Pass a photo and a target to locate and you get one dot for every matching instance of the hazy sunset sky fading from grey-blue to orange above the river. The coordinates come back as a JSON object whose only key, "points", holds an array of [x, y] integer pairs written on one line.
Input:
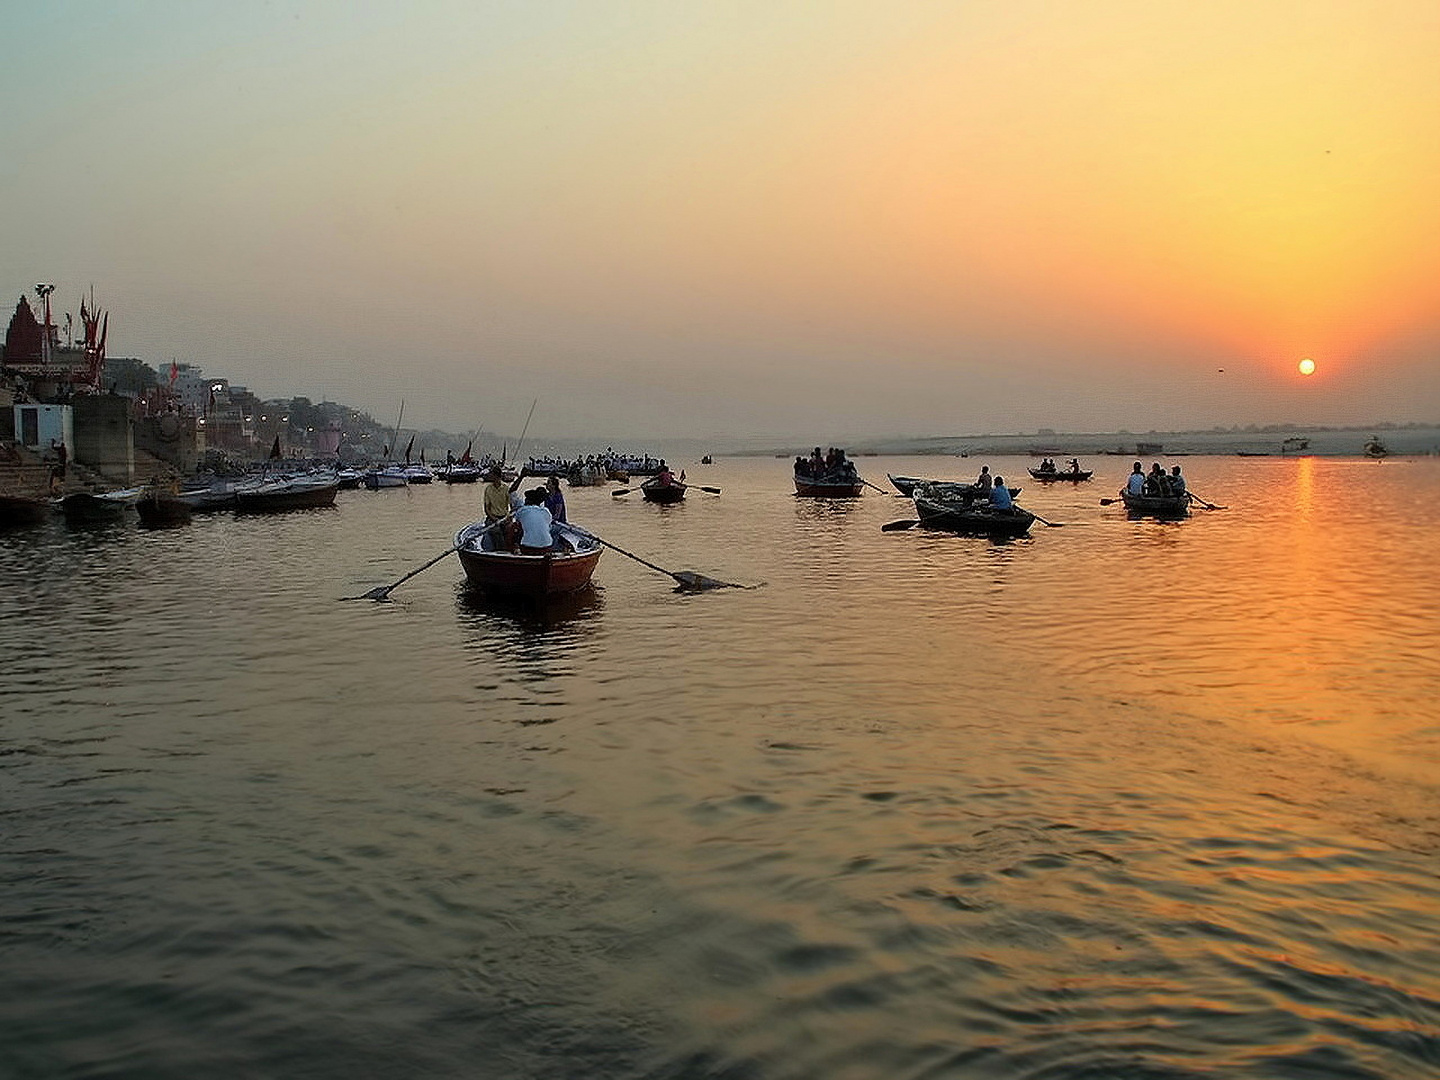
{"points": [[770, 220]]}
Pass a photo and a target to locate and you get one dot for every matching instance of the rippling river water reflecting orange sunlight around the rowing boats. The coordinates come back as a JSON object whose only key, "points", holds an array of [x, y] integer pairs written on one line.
{"points": [[1121, 800]]}
